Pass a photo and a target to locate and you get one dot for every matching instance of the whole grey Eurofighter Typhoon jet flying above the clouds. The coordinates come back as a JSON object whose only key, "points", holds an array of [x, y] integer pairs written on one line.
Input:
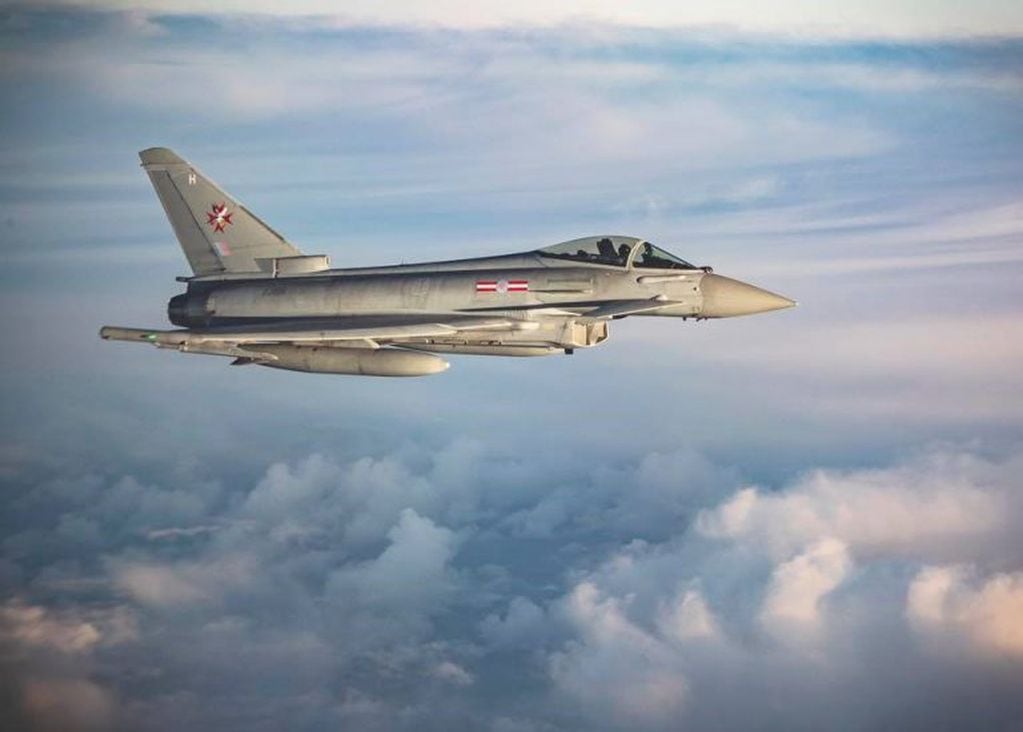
{"points": [[257, 299]]}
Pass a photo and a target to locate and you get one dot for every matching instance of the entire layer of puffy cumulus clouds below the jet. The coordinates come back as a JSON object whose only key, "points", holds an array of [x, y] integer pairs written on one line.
{"points": [[405, 592]]}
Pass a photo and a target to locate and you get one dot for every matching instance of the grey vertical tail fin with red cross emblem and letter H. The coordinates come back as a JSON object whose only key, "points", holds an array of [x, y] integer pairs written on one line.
{"points": [[217, 234]]}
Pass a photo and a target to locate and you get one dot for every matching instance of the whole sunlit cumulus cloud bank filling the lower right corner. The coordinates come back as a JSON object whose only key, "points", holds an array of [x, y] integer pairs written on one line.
{"points": [[811, 597]]}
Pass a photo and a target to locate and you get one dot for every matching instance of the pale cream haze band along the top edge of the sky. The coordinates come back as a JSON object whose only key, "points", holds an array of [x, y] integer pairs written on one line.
{"points": [[926, 19]]}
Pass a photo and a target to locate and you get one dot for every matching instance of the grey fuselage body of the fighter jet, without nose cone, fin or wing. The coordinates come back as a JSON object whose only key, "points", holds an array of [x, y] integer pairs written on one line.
{"points": [[558, 293]]}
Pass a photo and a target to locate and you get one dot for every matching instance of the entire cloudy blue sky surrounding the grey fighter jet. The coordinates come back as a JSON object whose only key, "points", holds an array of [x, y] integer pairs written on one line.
{"points": [[803, 520]]}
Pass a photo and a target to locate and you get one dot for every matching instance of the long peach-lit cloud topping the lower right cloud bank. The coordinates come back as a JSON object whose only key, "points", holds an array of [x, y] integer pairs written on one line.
{"points": [[931, 507]]}
